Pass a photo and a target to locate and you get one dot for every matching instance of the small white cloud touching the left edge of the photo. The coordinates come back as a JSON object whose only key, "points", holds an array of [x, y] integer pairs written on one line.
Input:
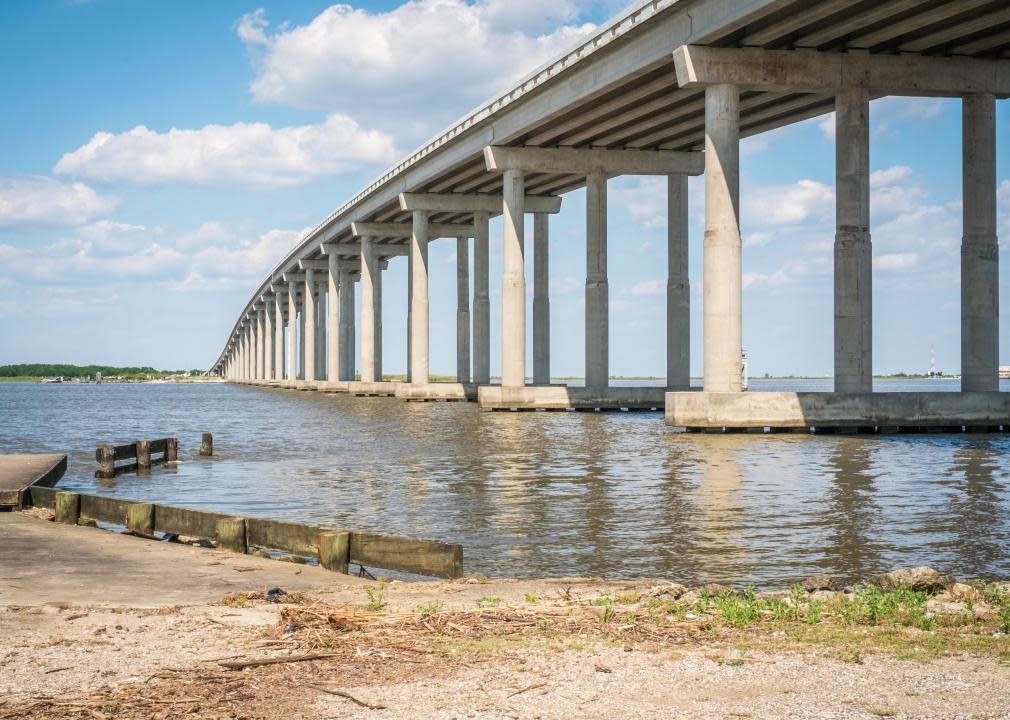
{"points": [[44, 201]]}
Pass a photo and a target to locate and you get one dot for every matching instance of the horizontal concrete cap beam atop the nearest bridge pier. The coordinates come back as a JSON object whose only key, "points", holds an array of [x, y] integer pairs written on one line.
{"points": [[814, 72]]}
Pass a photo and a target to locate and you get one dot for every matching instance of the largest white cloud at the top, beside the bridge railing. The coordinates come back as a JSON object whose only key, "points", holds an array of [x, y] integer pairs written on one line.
{"points": [[434, 57]]}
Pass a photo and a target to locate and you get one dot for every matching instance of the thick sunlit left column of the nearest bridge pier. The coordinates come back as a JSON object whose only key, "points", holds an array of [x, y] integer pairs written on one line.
{"points": [[723, 260]]}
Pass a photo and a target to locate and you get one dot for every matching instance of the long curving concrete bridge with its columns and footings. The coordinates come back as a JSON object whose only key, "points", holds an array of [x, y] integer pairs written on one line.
{"points": [[668, 88]]}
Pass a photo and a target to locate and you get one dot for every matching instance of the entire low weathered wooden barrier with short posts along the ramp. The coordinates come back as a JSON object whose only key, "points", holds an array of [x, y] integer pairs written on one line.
{"points": [[334, 549]]}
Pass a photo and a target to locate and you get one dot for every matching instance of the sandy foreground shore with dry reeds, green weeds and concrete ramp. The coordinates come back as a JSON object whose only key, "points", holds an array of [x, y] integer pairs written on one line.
{"points": [[344, 648]]}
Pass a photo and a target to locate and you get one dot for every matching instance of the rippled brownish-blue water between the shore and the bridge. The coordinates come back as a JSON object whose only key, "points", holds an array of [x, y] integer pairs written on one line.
{"points": [[617, 495]]}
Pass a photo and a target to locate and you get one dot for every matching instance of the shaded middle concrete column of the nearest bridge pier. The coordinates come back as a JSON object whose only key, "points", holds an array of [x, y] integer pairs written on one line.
{"points": [[854, 371]]}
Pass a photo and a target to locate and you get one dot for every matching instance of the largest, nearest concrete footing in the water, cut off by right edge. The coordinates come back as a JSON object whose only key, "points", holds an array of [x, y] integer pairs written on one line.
{"points": [[855, 413]]}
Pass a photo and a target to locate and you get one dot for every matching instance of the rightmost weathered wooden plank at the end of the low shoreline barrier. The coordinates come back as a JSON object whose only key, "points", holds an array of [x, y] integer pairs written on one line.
{"points": [[407, 555]]}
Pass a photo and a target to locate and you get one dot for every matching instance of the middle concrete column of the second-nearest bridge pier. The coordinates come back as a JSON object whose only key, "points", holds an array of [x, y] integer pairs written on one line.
{"points": [[597, 287]]}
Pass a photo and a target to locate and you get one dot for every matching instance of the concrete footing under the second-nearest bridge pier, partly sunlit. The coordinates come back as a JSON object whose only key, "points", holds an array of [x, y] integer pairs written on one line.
{"points": [[560, 397]]}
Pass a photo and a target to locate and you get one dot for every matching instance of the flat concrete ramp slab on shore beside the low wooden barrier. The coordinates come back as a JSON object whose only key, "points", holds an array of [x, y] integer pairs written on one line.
{"points": [[48, 564]]}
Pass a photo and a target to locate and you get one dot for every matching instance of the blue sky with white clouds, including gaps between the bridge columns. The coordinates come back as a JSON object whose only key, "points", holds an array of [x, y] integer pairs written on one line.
{"points": [[159, 159]]}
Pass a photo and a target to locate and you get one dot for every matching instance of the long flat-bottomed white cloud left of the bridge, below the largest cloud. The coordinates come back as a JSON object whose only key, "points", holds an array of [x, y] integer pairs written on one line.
{"points": [[247, 154]]}
